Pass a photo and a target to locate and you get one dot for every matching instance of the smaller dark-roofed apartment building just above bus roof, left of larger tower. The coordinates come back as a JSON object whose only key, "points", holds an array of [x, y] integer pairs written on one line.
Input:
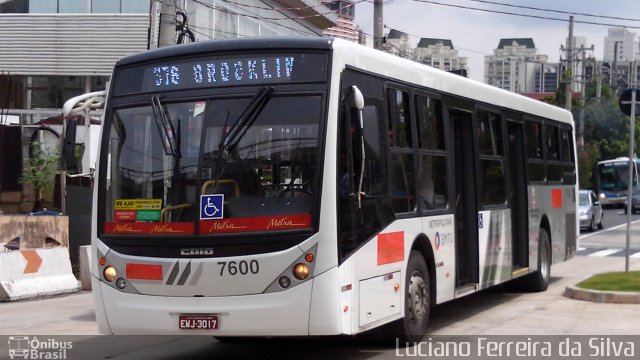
{"points": [[440, 54]]}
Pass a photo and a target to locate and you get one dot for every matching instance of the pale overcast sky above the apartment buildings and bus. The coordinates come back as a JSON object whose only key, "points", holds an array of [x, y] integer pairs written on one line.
{"points": [[476, 33]]}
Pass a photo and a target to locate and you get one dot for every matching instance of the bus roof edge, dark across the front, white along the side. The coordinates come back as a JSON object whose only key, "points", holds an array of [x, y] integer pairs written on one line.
{"points": [[347, 53]]}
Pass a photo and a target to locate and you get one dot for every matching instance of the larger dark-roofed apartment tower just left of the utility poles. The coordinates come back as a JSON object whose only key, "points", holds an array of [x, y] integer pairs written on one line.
{"points": [[516, 66]]}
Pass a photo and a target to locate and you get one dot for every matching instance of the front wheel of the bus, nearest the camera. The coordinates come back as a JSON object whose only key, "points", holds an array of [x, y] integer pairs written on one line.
{"points": [[417, 297]]}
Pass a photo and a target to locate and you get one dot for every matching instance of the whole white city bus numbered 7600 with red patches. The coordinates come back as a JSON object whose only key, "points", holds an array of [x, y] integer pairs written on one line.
{"points": [[265, 187]]}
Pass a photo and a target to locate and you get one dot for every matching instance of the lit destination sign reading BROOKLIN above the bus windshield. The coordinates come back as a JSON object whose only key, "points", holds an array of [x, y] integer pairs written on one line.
{"points": [[218, 71]]}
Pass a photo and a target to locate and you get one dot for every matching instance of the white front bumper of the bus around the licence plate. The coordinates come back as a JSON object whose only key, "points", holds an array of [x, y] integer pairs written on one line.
{"points": [[276, 314]]}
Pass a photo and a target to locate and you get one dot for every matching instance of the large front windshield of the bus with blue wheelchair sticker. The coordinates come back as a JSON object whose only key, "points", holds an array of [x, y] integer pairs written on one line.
{"points": [[216, 165]]}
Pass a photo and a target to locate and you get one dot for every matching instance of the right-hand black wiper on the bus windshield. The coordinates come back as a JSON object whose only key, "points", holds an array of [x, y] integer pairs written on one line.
{"points": [[245, 120]]}
